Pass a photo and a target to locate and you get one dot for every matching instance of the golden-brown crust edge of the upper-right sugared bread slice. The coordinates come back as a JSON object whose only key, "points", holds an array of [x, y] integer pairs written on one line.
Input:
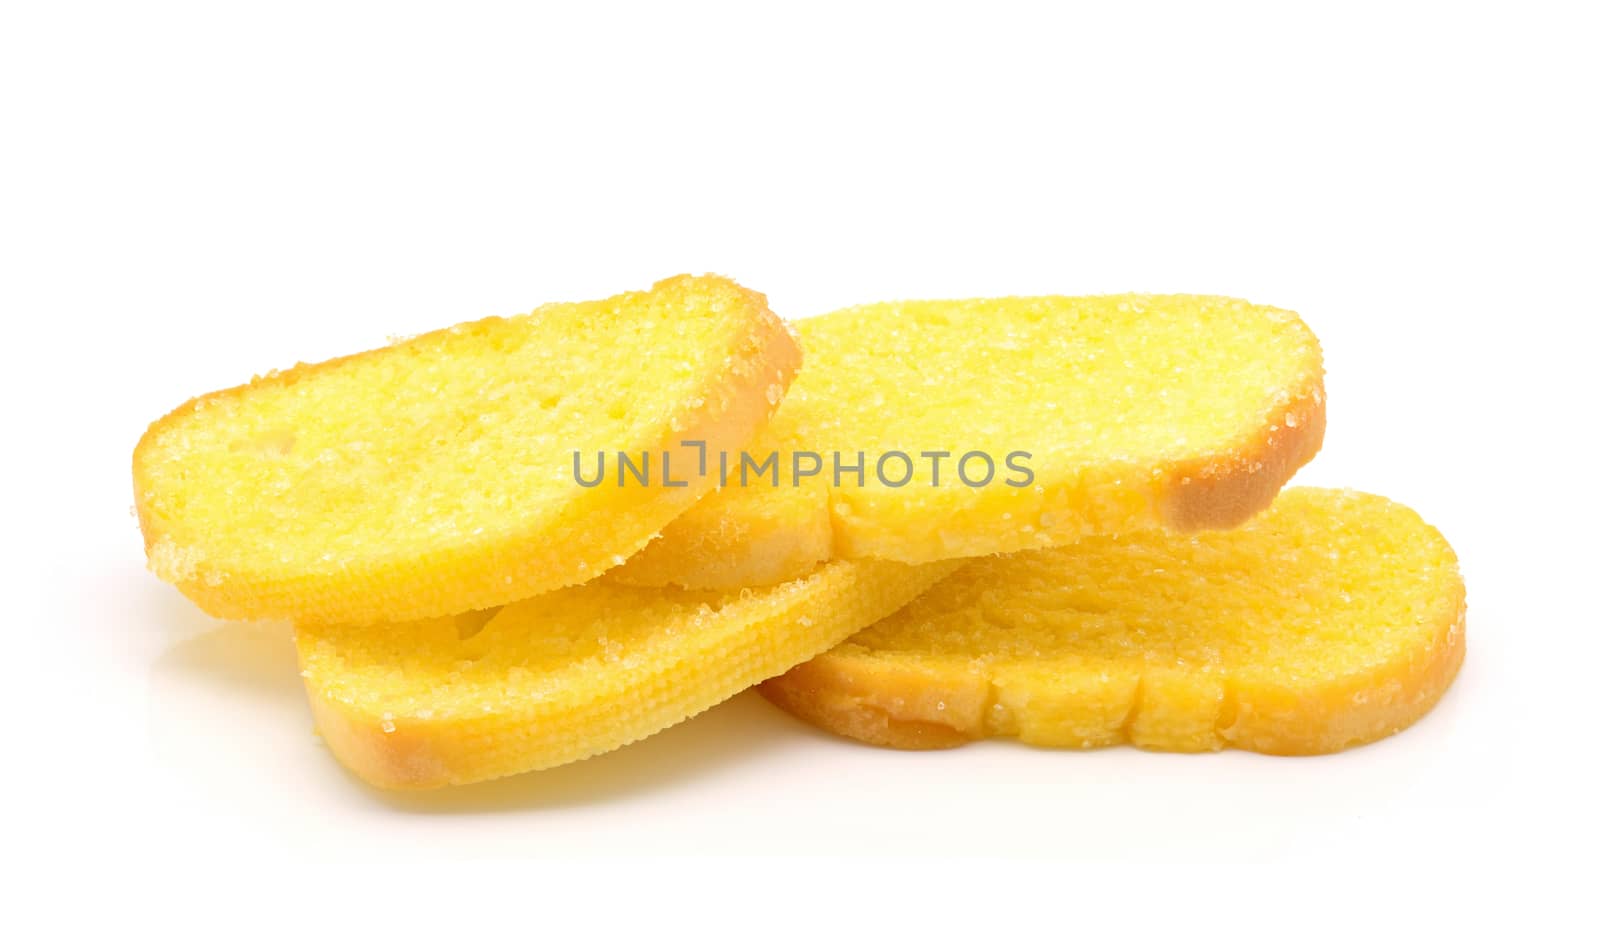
{"points": [[761, 535]]}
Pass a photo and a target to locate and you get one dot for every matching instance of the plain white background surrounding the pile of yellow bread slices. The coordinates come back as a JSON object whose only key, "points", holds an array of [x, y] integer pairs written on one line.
{"points": [[198, 193]]}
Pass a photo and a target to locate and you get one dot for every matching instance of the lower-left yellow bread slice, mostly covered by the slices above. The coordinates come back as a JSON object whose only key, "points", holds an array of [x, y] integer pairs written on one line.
{"points": [[570, 674]]}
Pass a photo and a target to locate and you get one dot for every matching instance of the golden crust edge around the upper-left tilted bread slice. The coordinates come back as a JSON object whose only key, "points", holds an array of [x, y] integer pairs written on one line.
{"points": [[594, 530]]}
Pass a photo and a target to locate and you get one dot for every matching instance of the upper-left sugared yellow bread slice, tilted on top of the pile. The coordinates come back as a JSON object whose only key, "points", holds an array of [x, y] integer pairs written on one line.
{"points": [[438, 476]]}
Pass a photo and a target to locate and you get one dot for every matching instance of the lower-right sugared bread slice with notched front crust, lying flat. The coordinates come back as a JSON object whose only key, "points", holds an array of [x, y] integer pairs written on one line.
{"points": [[1334, 620]]}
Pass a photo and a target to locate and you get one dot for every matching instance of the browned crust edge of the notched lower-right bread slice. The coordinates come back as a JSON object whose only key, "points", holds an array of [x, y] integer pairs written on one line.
{"points": [[911, 700]]}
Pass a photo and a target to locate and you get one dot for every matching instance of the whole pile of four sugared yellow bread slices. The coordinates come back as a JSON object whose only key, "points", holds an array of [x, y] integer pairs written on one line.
{"points": [[519, 543]]}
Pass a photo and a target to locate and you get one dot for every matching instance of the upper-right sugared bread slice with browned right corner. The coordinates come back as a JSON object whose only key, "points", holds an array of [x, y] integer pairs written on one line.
{"points": [[1138, 412]]}
